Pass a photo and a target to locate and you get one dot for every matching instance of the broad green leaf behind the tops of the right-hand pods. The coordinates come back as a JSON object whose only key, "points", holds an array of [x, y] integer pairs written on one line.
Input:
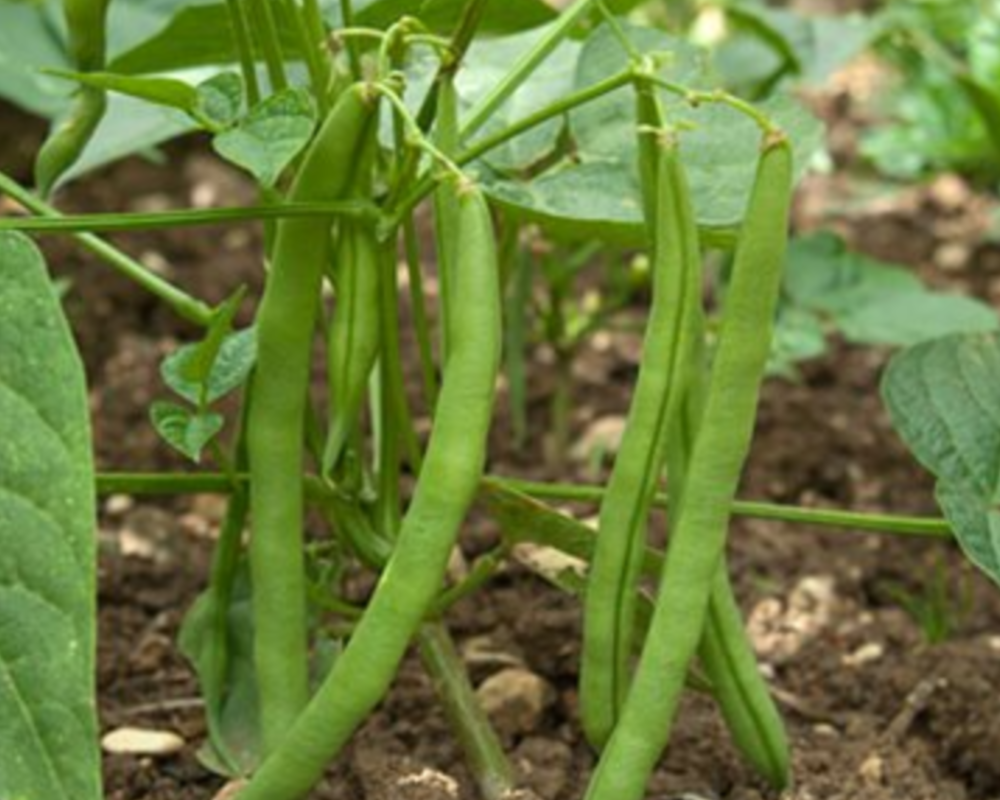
{"points": [[595, 191]]}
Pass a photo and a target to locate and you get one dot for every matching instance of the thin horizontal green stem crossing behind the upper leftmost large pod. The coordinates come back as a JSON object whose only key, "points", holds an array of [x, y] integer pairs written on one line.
{"points": [[159, 220]]}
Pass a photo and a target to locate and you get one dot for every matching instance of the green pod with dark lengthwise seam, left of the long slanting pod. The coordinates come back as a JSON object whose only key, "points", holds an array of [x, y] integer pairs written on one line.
{"points": [[609, 618]]}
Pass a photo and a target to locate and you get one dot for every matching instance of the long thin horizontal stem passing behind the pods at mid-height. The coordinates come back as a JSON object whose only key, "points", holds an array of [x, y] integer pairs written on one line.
{"points": [[167, 484]]}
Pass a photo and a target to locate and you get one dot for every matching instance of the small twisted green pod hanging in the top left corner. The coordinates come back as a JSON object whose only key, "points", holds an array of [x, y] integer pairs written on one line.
{"points": [[86, 23]]}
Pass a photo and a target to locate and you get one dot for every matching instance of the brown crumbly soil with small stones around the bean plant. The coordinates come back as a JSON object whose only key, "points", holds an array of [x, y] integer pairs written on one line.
{"points": [[875, 710]]}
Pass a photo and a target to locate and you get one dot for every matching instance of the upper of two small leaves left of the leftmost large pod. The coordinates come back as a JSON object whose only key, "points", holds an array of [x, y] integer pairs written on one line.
{"points": [[228, 365]]}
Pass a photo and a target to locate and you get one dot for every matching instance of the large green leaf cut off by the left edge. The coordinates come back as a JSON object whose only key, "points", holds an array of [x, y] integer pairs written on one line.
{"points": [[48, 726]]}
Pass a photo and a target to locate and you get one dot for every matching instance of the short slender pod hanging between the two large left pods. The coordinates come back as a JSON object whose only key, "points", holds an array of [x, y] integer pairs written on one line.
{"points": [[353, 343]]}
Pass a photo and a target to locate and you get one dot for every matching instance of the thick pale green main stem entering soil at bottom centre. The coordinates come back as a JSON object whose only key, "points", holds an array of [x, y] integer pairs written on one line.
{"points": [[483, 753]]}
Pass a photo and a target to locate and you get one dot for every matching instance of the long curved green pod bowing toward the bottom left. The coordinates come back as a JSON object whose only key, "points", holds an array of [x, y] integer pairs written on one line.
{"points": [[448, 483]]}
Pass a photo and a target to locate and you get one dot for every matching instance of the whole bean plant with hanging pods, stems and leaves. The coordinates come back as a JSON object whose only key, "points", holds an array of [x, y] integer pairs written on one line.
{"points": [[355, 123]]}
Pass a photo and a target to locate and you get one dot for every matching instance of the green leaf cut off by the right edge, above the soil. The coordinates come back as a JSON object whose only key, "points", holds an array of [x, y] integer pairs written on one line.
{"points": [[944, 400]]}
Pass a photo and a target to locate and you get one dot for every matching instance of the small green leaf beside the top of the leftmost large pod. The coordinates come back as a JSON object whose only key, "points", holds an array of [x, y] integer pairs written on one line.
{"points": [[270, 136]]}
